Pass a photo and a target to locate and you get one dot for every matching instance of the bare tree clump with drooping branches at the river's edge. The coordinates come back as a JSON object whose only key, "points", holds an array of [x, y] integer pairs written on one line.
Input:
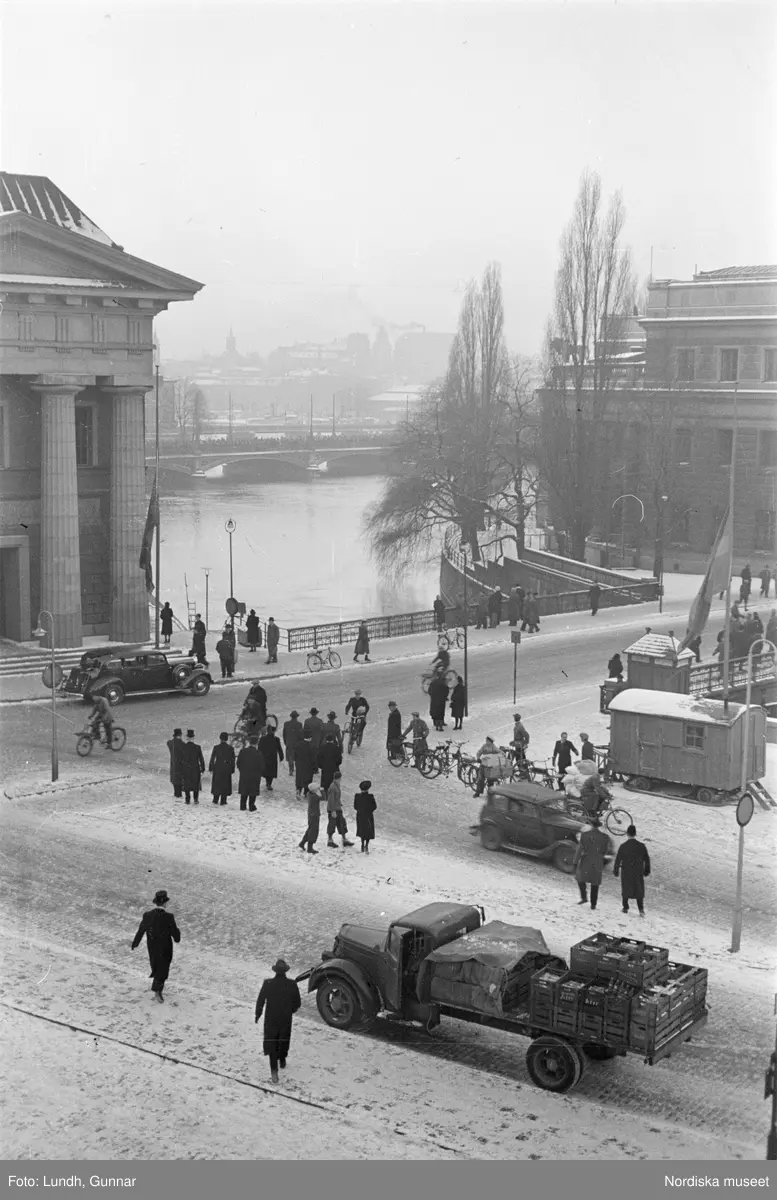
{"points": [[466, 464]]}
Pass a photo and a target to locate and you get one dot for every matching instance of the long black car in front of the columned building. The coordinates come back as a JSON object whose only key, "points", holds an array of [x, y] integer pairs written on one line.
{"points": [[135, 671]]}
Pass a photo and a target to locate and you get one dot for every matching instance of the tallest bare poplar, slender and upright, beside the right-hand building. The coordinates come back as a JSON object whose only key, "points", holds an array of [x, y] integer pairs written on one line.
{"points": [[595, 291]]}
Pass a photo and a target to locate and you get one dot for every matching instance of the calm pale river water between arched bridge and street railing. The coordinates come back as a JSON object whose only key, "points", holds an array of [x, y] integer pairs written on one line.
{"points": [[298, 553]]}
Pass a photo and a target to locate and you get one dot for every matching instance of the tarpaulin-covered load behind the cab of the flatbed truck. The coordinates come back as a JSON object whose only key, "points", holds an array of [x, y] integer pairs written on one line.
{"points": [[486, 971]]}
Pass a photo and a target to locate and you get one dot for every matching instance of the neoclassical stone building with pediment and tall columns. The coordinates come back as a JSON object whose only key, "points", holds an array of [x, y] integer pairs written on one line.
{"points": [[76, 363]]}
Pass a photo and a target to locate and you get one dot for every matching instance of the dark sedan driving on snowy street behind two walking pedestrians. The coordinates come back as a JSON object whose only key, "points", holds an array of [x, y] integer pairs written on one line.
{"points": [[531, 820]]}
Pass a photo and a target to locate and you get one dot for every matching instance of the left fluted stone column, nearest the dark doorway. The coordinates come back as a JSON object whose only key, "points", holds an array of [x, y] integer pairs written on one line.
{"points": [[61, 551]]}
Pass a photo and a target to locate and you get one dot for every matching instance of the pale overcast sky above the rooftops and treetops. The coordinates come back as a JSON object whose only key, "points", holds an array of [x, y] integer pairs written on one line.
{"points": [[332, 167]]}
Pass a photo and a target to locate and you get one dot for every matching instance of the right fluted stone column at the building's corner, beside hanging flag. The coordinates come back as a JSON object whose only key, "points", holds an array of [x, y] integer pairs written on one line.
{"points": [[129, 508]]}
